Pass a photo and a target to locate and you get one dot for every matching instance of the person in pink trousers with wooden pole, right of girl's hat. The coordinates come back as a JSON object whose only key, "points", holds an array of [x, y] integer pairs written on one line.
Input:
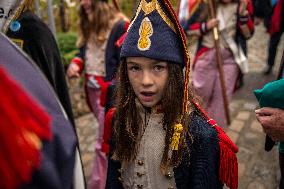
{"points": [[234, 20]]}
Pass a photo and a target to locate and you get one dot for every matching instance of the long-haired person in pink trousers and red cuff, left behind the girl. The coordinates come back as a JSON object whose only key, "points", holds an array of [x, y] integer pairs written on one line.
{"points": [[100, 27]]}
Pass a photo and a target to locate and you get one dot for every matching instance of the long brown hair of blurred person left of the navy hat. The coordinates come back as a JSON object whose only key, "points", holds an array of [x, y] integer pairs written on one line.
{"points": [[97, 26]]}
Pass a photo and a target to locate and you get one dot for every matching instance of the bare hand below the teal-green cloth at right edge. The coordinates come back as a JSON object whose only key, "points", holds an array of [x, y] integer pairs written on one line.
{"points": [[272, 121]]}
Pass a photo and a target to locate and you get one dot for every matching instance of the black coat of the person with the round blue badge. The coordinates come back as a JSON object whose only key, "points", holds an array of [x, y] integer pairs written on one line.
{"points": [[39, 43]]}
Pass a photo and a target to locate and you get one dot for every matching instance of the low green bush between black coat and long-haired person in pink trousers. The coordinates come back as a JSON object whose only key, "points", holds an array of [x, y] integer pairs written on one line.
{"points": [[67, 47]]}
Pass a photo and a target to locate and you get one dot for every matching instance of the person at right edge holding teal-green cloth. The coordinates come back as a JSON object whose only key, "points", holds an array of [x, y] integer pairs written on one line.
{"points": [[271, 116]]}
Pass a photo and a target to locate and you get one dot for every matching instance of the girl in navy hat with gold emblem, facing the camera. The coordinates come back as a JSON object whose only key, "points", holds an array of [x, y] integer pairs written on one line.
{"points": [[161, 138]]}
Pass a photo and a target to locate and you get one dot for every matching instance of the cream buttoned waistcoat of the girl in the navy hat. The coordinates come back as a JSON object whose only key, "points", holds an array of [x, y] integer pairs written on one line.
{"points": [[145, 171]]}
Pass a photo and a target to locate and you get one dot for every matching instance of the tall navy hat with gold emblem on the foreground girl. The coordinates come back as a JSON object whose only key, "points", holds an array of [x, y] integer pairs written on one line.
{"points": [[155, 33]]}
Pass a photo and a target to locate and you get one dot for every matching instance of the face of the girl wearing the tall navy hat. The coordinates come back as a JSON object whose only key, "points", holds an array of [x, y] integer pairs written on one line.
{"points": [[148, 79]]}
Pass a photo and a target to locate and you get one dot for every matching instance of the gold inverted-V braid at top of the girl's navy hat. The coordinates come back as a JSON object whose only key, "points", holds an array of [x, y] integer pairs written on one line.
{"points": [[149, 8]]}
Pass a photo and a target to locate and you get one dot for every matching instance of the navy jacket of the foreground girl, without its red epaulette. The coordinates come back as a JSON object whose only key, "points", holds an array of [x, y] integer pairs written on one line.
{"points": [[201, 172]]}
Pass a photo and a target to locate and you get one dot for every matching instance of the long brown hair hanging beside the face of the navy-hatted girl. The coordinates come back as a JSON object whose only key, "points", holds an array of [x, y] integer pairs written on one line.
{"points": [[127, 127]]}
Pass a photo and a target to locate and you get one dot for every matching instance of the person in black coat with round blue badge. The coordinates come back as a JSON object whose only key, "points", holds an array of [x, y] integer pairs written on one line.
{"points": [[32, 35]]}
